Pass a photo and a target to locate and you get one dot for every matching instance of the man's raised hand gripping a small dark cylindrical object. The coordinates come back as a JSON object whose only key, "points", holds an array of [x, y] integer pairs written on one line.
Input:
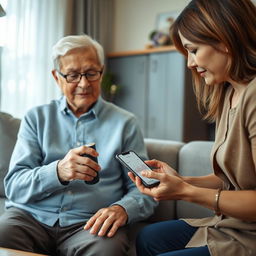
{"points": [[74, 166]]}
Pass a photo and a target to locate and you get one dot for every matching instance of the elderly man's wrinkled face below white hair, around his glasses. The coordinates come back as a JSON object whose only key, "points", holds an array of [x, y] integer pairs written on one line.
{"points": [[80, 95]]}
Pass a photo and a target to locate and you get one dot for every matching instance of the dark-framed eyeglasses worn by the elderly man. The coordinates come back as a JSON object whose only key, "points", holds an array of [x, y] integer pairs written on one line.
{"points": [[91, 76]]}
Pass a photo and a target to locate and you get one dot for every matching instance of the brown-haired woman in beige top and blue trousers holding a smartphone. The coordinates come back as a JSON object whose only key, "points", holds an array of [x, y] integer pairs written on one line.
{"points": [[218, 37]]}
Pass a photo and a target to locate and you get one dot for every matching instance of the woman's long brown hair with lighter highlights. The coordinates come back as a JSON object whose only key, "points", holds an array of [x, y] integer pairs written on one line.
{"points": [[231, 22]]}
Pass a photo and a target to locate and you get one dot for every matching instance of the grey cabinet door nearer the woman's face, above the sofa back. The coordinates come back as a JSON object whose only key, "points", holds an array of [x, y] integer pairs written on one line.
{"points": [[166, 96]]}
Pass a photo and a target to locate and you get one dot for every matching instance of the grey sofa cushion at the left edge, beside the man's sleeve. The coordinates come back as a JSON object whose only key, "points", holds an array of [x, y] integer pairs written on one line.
{"points": [[8, 129]]}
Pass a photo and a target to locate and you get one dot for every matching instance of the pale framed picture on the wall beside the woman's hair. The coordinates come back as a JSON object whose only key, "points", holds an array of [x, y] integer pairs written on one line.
{"points": [[164, 20]]}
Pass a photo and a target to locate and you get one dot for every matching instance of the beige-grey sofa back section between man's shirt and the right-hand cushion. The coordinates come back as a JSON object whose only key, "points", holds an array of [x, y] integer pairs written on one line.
{"points": [[166, 151]]}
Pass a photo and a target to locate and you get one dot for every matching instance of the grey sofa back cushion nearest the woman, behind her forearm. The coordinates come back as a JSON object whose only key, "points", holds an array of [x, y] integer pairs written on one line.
{"points": [[194, 160]]}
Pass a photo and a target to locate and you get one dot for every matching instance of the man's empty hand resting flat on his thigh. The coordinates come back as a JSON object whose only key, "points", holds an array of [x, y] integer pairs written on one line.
{"points": [[106, 221]]}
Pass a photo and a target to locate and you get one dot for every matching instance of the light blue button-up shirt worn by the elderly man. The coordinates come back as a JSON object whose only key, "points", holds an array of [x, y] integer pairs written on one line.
{"points": [[46, 134]]}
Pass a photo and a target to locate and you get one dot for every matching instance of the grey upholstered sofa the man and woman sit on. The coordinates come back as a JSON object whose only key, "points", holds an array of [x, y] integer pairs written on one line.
{"points": [[191, 159]]}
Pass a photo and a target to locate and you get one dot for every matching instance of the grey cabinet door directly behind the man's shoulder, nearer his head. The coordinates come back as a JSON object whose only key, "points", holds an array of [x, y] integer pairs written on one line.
{"points": [[130, 72]]}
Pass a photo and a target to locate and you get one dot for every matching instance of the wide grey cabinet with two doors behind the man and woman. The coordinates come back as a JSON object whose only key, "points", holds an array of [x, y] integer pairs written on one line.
{"points": [[157, 88]]}
